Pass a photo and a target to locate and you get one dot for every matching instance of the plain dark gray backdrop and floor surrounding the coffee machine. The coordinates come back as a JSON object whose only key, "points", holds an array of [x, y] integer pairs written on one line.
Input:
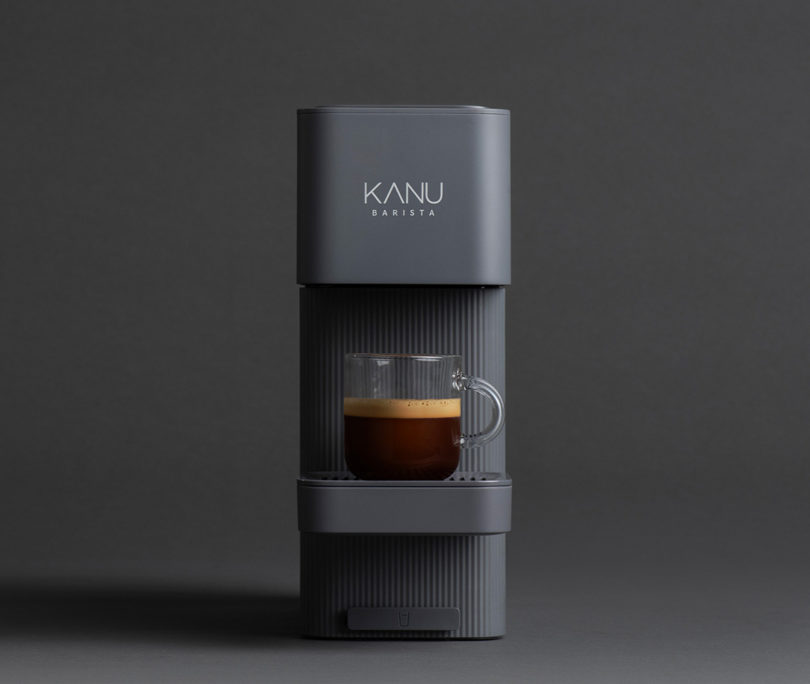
{"points": [[658, 333]]}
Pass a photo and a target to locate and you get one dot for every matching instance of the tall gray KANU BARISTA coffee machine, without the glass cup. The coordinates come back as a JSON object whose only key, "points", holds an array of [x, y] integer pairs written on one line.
{"points": [[403, 247]]}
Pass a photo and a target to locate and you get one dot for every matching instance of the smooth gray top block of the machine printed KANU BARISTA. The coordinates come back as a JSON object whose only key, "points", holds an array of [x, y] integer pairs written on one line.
{"points": [[354, 167]]}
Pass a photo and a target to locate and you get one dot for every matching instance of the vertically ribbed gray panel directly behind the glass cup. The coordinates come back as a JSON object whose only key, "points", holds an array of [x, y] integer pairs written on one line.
{"points": [[468, 321]]}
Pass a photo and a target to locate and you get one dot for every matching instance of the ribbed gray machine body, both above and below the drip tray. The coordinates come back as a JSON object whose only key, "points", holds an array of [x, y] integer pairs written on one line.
{"points": [[343, 571]]}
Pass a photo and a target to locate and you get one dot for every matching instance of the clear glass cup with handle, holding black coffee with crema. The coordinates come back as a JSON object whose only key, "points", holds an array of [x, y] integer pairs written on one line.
{"points": [[402, 415]]}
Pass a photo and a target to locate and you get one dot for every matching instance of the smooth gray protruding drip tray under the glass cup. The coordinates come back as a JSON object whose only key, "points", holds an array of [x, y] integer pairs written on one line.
{"points": [[465, 503]]}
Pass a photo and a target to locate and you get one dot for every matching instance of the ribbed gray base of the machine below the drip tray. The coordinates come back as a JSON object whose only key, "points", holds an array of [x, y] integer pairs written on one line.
{"points": [[339, 572]]}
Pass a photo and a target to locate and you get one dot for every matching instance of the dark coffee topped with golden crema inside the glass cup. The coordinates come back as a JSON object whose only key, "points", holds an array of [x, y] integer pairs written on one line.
{"points": [[402, 439]]}
